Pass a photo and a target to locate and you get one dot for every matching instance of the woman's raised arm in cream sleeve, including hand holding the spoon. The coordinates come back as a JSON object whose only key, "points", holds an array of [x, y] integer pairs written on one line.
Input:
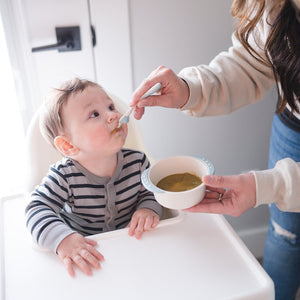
{"points": [[232, 80]]}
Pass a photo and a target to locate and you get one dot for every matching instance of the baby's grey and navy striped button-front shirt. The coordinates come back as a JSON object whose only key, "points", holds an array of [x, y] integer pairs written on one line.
{"points": [[70, 198]]}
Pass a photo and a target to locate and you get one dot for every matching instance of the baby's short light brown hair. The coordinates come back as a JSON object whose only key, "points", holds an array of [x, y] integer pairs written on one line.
{"points": [[51, 123]]}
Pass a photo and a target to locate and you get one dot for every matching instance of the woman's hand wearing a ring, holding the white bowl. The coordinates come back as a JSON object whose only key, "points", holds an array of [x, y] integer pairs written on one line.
{"points": [[229, 195]]}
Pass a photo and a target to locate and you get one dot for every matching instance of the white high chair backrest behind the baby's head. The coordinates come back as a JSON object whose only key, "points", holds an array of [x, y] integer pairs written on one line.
{"points": [[40, 154]]}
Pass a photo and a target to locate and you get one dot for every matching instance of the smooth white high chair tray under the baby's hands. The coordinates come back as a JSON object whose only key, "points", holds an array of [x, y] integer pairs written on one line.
{"points": [[189, 256]]}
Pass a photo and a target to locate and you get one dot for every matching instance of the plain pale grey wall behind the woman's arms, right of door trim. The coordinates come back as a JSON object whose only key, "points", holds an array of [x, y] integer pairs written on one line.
{"points": [[180, 33]]}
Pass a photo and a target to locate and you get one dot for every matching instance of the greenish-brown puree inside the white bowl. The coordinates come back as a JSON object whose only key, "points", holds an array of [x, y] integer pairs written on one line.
{"points": [[179, 182]]}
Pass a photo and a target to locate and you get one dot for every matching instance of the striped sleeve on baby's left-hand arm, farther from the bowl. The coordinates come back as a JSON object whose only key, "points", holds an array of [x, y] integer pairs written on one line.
{"points": [[42, 213]]}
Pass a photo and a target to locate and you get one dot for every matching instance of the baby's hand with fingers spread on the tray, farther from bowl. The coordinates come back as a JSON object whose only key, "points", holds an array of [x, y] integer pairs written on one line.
{"points": [[78, 250]]}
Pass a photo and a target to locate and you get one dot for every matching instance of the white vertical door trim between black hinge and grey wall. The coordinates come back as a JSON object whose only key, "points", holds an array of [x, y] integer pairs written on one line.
{"points": [[113, 49]]}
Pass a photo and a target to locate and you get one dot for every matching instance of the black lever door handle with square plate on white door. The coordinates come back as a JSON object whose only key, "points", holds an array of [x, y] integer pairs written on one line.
{"points": [[68, 39]]}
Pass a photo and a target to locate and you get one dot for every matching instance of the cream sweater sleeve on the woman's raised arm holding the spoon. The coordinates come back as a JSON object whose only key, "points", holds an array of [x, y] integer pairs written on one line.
{"points": [[232, 80]]}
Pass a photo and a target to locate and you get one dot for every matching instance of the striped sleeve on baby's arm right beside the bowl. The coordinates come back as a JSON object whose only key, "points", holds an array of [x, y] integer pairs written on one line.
{"points": [[146, 198]]}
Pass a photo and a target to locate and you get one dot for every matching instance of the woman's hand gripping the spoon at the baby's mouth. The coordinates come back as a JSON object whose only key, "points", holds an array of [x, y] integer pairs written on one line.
{"points": [[174, 92]]}
